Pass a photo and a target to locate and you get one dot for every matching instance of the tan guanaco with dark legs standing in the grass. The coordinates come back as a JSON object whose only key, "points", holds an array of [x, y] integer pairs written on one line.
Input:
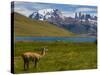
{"points": [[33, 56]]}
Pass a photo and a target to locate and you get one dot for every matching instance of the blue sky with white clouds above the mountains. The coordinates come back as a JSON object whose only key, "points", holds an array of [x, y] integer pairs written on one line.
{"points": [[27, 8]]}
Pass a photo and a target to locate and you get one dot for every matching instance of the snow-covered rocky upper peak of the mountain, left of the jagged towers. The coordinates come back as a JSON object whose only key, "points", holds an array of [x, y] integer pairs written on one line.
{"points": [[46, 14]]}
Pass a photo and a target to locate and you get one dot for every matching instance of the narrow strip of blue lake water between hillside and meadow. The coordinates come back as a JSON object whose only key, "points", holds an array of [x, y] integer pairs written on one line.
{"points": [[66, 39]]}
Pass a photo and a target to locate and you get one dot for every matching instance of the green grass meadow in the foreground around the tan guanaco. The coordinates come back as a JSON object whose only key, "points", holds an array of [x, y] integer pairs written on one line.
{"points": [[61, 56]]}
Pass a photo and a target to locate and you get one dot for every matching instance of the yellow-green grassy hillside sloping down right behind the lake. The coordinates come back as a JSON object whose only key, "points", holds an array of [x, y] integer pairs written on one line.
{"points": [[24, 26]]}
